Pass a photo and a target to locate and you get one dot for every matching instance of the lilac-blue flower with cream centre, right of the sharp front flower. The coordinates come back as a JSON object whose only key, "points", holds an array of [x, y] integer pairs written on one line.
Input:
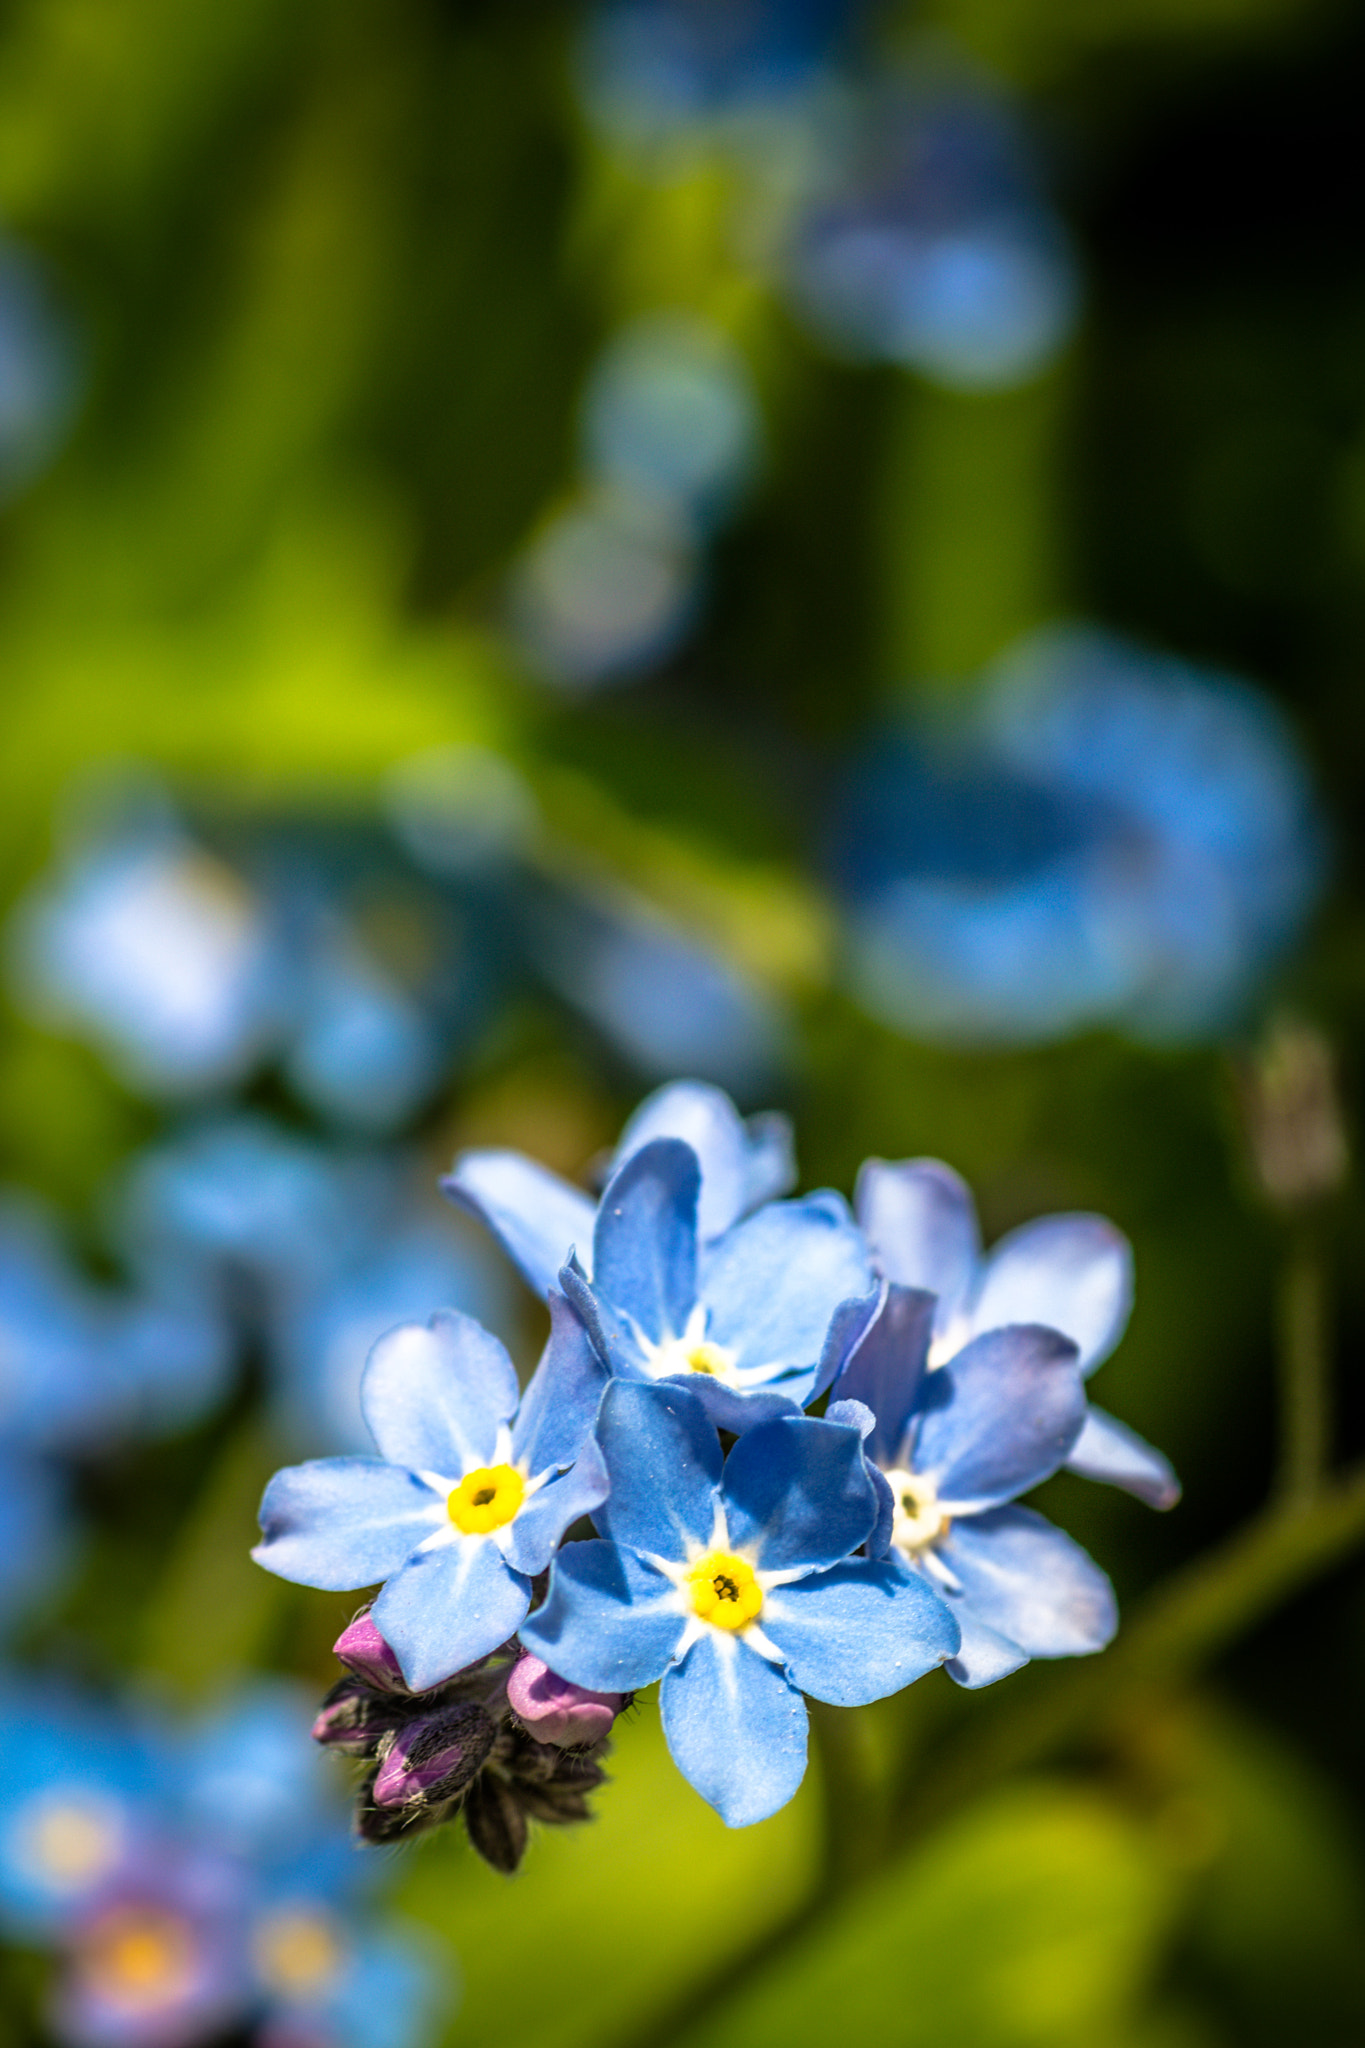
{"points": [[955, 1447]]}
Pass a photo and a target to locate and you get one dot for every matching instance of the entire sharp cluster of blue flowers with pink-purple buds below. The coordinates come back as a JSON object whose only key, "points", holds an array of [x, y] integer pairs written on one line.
{"points": [[748, 1553]]}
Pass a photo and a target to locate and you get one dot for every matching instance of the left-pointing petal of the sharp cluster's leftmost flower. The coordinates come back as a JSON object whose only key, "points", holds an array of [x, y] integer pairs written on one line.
{"points": [[345, 1523]]}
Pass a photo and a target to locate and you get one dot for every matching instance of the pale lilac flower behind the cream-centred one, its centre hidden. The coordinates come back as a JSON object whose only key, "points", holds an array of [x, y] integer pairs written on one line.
{"points": [[1067, 1273]]}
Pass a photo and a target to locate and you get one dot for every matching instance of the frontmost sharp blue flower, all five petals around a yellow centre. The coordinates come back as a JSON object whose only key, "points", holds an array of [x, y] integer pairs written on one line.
{"points": [[736, 1586]]}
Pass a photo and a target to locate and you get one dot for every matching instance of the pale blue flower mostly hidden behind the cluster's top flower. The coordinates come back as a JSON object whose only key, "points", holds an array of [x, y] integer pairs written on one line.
{"points": [[539, 1220]]}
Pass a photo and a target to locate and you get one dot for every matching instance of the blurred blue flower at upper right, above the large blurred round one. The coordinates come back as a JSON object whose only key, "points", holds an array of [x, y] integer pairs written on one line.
{"points": [[928, 241]]}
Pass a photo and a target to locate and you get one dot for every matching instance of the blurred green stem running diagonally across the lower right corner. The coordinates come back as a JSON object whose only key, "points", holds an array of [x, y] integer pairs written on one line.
{"points": [[1184, 1625]]}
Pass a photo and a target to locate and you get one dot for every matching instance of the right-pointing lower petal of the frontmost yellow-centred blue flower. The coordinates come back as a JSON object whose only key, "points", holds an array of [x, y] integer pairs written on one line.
{"points": [[861, 1631]]}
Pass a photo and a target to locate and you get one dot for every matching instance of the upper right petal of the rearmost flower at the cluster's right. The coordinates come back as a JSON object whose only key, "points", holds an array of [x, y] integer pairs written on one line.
{"points": [[1069, 1273]]}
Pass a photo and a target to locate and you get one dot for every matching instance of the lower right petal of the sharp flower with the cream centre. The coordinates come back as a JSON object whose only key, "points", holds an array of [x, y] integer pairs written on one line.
{"points": [[1030, 1582]]}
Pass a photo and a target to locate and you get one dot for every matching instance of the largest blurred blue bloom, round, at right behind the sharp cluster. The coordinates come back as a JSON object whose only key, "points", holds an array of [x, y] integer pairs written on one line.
{"points": [[1100, 837]]}
